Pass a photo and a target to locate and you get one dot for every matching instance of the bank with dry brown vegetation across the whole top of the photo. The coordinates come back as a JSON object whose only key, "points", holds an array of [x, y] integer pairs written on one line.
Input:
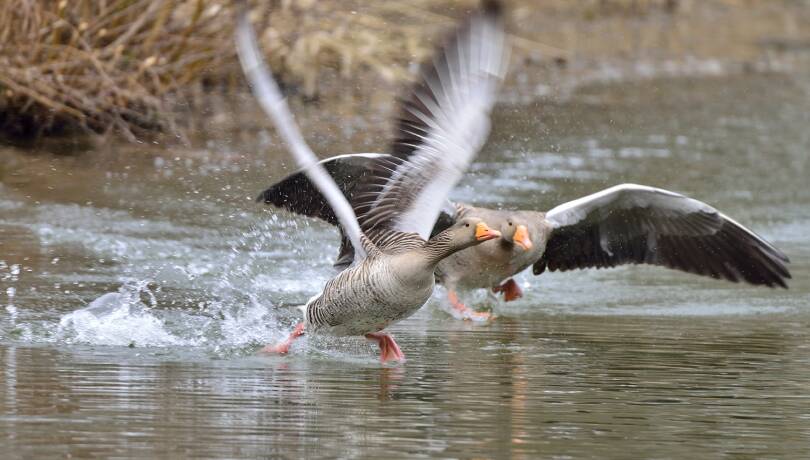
{"points": [[138, 67]]}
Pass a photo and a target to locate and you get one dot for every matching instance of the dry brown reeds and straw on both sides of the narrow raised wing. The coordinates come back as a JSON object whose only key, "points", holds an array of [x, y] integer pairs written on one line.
{"points": [[106, 65]]}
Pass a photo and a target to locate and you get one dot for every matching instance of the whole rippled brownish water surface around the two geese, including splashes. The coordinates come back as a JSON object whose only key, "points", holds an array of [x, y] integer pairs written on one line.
{"points": [[138, 285]]}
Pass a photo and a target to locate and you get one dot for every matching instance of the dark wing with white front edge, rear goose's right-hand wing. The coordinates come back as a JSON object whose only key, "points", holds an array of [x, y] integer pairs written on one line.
{"points": [[634, 224]]}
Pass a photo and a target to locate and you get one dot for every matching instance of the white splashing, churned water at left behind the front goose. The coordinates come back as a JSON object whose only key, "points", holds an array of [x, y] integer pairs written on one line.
{"points": [[191, 288]]}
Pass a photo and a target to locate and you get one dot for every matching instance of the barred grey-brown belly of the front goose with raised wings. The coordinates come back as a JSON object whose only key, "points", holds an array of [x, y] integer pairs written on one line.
{"points": [[361, 301]]}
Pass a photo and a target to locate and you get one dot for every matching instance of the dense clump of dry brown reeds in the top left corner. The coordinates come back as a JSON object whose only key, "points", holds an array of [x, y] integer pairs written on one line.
{"points": [[100, 65]]}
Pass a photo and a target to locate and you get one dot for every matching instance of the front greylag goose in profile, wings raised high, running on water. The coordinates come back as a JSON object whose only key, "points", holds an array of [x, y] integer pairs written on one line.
{"points": [[444, 121]]}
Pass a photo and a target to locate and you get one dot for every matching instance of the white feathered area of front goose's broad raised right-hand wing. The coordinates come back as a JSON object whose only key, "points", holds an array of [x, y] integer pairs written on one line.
{"points": [[459, 120]]}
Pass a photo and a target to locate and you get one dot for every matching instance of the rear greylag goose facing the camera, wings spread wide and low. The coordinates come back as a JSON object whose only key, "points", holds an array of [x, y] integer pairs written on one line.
{"points": [[624, 224]]}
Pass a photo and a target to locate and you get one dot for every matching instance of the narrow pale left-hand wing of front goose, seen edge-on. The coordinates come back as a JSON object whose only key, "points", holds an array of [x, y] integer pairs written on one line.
{"points": [[272, 102]]}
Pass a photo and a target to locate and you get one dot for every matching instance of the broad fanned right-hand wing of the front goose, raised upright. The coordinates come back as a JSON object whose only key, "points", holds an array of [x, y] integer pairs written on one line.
{"points": [[444, 121]]}
